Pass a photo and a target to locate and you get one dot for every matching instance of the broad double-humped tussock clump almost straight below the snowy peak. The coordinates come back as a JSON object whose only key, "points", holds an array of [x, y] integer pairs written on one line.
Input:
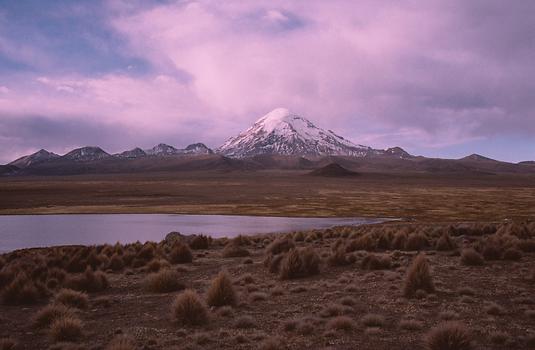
{"points": [[299, 263]]}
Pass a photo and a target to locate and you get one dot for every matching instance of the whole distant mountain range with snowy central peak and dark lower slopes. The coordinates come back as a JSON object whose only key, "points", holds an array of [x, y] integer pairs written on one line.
{"points": [[278, 140]]}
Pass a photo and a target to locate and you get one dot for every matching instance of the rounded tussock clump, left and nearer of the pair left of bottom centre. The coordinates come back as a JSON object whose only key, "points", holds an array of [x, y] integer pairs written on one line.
{"points": [[188, 309]]}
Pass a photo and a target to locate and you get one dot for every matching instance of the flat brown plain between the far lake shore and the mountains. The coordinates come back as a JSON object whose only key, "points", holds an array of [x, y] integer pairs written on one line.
{"points": [[423, 197]]}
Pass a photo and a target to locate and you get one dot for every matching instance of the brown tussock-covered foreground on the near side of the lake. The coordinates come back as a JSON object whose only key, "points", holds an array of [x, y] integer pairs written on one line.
{"points": [[387, 286]]}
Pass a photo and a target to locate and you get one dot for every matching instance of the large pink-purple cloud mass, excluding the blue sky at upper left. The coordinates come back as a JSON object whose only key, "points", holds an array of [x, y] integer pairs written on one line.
{"points": [[417, 73]]}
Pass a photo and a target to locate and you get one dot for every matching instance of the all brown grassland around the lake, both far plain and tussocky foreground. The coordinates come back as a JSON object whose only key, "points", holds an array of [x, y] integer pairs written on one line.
{"points": [[457, 273]]}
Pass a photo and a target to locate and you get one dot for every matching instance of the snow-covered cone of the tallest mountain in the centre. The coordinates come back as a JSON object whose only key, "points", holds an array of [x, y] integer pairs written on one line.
{"points": [[285, 133]]}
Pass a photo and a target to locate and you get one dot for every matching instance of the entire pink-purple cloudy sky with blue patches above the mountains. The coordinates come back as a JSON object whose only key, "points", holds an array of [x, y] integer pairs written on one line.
{"points": [[438, 78]]}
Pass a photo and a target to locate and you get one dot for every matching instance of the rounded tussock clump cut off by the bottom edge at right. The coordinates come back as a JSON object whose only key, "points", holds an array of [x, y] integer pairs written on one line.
{"points": [[449, 336]]}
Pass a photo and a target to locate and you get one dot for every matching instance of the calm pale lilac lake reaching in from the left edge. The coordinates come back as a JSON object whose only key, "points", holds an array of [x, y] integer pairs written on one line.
{"points": [[28, 231]]}
